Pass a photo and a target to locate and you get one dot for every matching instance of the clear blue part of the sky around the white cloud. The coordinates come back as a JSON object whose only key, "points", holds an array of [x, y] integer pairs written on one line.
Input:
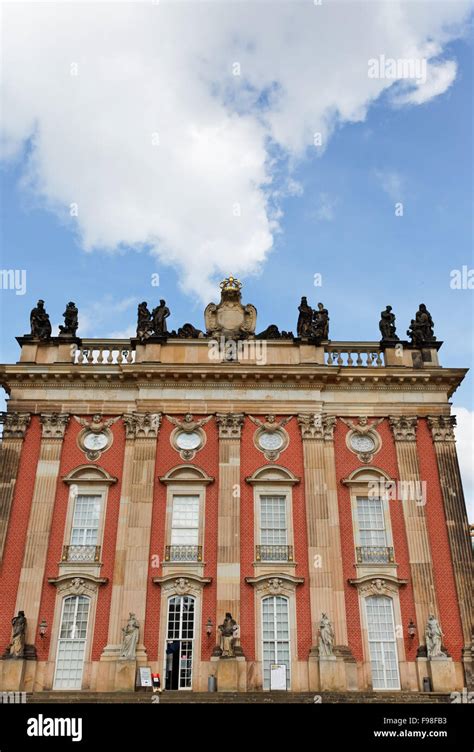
{"points": [[337, 219]]}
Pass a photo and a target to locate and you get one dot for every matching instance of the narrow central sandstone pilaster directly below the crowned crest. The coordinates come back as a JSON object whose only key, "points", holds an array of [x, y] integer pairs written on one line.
{"points": [[228, 534]]}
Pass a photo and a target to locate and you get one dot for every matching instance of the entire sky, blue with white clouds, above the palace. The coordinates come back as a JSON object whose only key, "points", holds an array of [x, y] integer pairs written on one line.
{"points": [[192, 140]]}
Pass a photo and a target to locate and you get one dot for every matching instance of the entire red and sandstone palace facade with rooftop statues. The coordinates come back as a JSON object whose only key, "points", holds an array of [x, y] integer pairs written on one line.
{"points": [[309, 489]]}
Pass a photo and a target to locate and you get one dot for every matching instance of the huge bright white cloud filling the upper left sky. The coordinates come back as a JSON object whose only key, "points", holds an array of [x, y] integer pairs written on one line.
{"points": [[207, 199]]}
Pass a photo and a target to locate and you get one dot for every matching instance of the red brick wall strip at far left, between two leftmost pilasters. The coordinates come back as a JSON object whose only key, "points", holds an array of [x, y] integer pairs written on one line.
{"points": [[17, 528]]}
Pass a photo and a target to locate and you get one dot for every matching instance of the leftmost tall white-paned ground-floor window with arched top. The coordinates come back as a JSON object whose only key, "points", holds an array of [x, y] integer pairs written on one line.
{"points": [[72, 643]]}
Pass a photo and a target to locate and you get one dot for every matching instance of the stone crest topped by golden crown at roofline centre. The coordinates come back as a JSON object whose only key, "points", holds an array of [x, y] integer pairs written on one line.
{"points": [[230, 318]]}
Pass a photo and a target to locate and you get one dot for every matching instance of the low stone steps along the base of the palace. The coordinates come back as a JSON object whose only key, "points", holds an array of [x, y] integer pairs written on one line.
{"points": [[237, 697]]}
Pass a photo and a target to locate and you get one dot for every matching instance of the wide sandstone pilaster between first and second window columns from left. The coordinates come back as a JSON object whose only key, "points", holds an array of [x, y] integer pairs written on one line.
{"points": [[132, 553]]}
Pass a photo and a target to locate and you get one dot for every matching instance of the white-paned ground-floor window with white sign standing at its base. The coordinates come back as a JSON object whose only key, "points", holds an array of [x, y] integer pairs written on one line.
{"points": [[276, 636]]}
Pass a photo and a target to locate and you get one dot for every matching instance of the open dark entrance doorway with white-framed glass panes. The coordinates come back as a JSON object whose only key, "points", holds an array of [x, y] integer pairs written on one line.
{"points": [[179, 642]]}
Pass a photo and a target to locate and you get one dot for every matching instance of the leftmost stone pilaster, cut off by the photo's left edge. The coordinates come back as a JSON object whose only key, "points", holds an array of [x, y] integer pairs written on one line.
{"points": [[14, 430]]}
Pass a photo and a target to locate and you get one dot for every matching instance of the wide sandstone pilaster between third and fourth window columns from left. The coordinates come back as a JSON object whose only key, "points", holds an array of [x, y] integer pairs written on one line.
{"points": [[326, 579]]}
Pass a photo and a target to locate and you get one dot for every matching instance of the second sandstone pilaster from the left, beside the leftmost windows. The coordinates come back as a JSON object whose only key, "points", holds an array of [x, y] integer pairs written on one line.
{"points": [[39, 524]]}
